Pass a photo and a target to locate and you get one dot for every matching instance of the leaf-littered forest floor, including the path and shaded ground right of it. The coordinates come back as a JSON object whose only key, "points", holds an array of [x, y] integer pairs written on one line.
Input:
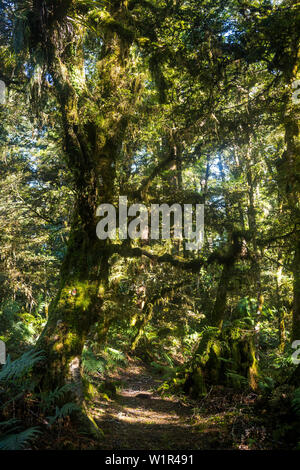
{"points": [[140, 418]]}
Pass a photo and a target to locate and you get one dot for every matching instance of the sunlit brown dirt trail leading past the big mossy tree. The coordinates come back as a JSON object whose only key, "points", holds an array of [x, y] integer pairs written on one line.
{"points": [[140, 419]]}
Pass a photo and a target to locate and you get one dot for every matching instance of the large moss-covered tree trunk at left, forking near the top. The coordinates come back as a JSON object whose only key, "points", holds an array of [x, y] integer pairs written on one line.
{"points": [[92, 142]]}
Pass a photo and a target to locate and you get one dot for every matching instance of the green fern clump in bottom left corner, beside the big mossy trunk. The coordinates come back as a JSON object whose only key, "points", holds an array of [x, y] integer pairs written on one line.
{"points": [[25, 413]]}
